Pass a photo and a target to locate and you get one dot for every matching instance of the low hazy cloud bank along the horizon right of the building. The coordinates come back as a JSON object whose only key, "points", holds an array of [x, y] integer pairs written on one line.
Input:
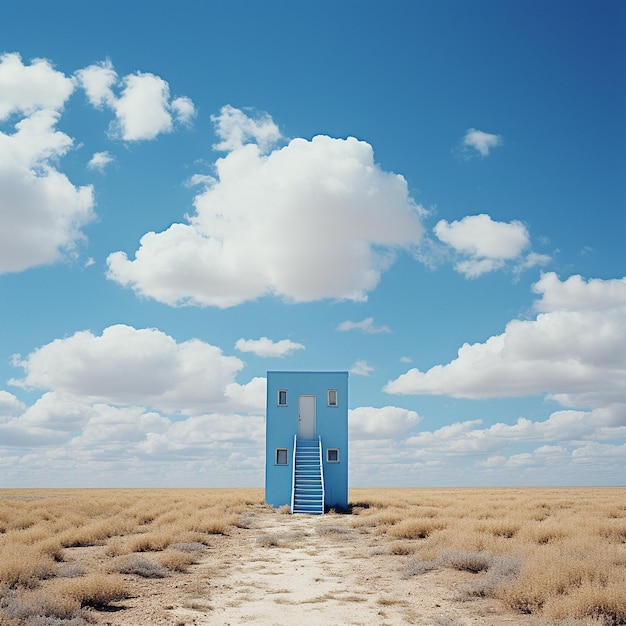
{"points": [[582, 445]]}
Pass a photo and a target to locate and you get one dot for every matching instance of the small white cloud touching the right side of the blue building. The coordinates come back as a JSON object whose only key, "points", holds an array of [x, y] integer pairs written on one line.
{"points": [[388, 422]]}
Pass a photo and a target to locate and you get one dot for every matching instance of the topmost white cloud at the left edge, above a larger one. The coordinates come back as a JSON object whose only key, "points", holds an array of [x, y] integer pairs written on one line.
{"points": [[26, 89]]}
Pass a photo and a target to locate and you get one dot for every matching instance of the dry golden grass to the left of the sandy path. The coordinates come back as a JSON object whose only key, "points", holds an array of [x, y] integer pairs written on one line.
{"points": [[39, 529]]}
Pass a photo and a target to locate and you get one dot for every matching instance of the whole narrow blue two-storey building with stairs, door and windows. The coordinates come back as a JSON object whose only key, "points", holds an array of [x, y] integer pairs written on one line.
{"points": [[306, 440]]}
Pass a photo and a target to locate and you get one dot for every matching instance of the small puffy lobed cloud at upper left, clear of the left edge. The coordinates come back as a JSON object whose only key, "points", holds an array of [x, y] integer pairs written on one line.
{"points": [[143, 109]]}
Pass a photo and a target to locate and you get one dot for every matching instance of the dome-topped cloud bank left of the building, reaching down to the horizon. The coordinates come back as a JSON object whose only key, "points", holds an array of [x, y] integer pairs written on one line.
{"points": [[125, 399]]}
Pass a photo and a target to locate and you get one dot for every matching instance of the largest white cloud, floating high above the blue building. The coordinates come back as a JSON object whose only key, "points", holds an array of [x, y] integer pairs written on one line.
{"points": [[312, 220]]}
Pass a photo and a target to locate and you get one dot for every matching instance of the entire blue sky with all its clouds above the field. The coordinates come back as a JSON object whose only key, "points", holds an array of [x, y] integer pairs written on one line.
{"points": [[430, 195]]}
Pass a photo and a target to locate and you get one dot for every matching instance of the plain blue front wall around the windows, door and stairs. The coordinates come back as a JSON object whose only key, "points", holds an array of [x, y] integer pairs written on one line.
{"points": [[282, 425]]}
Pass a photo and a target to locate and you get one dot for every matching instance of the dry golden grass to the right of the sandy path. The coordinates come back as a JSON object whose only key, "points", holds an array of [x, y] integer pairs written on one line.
{"points": [[570, 542]]}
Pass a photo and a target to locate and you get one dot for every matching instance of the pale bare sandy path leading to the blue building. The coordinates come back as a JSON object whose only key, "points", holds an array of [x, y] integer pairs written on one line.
{"points": [[303, 570]]}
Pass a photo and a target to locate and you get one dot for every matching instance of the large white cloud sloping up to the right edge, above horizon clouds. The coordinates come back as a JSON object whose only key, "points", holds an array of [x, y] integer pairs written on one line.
{"points": [[574, 351]]}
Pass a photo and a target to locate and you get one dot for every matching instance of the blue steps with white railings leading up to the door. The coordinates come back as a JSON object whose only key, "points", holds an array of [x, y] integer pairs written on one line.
{"points": [[308, 477]]}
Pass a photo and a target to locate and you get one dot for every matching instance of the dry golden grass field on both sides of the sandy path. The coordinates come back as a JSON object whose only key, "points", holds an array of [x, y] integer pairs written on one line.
{"points": [[74, 557]]}
